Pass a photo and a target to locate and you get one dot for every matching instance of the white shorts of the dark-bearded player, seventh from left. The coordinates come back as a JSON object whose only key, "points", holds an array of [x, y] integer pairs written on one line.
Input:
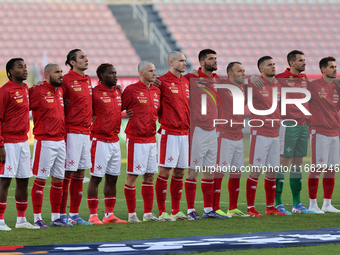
{"points": [[203, 148]]}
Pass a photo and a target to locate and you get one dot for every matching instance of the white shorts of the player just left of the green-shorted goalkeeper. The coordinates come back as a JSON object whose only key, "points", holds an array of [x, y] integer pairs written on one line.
{"points": [[264, 151]]}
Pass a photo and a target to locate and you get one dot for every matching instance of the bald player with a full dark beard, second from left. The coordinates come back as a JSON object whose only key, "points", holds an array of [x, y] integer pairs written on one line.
{"points": [[46, 103]]}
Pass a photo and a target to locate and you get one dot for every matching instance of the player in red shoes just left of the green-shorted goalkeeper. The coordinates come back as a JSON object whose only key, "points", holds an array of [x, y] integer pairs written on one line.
{"points": [[264, 139]]}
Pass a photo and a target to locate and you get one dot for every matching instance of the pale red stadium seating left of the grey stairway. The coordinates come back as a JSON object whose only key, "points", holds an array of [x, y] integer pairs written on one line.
{"points": [[35, 30]]}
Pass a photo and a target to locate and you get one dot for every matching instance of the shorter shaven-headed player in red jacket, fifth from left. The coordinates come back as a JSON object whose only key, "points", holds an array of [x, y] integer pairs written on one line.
{"points": [[144, 100]]}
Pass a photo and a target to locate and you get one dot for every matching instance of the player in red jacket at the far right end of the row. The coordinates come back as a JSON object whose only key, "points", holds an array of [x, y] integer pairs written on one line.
{"points": [[324, 106]]}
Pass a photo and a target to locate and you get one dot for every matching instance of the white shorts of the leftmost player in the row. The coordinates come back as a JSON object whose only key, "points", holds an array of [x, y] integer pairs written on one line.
{"points": [[18, 161]]}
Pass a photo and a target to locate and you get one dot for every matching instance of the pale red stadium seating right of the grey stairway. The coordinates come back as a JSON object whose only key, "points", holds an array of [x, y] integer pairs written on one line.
{"points": [[245, 32]]}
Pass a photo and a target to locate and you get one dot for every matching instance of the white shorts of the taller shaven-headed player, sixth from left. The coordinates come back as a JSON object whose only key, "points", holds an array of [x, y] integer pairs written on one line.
{"points": [[173, 150]]}
